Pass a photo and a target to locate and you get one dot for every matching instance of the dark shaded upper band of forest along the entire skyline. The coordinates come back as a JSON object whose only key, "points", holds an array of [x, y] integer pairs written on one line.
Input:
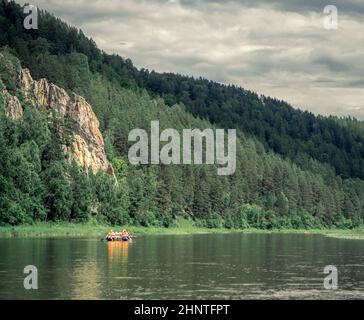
{"points": [[292, 133]]}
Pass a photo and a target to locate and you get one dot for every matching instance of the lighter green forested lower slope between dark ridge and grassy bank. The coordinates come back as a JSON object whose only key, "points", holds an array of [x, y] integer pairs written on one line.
{"points": [[266, 191]]}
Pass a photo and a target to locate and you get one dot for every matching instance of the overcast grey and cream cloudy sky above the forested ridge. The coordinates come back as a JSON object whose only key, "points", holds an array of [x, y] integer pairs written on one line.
{"points": [[276, 48]]}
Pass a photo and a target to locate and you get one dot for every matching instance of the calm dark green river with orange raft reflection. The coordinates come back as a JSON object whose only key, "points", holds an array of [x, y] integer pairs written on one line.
{"points": [[212, 266]]}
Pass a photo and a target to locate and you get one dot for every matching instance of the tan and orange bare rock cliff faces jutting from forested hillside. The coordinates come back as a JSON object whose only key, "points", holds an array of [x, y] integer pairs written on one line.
{"points": [[88, 144]]}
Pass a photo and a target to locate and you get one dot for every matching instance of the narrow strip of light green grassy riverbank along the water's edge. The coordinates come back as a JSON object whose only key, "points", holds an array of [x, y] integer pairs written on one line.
{"points": [[184, 228]]}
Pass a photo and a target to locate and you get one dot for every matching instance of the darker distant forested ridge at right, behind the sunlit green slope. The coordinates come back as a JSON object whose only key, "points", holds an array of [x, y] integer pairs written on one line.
{"points": [[295, 134]]}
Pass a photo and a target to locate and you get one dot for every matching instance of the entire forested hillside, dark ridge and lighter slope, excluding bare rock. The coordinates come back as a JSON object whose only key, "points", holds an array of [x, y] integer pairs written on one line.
{"points": [[294, 169]]}
